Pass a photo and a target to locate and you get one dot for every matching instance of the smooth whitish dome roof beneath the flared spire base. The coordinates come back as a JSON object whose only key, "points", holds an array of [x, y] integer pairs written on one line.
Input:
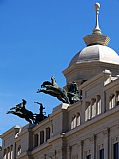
{"points": [[96, 53]]}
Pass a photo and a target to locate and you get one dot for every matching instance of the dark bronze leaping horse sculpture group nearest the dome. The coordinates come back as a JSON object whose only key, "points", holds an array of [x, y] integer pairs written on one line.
{"points": [[70, 96]]}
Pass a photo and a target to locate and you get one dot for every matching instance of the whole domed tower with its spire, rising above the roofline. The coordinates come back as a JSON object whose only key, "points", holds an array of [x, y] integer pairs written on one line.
{"points": [[94, 58]]}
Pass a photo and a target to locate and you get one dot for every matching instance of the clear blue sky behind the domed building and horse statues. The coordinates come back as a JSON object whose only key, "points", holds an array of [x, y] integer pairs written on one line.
{"points": [[38, 38]]}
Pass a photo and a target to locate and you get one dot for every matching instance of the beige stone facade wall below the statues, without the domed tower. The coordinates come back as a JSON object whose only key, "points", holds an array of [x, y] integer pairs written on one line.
{"points": [[77, 141]]}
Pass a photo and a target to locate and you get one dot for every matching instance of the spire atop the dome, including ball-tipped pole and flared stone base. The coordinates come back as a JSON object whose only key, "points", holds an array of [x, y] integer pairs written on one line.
{"points": [[96, 37]]}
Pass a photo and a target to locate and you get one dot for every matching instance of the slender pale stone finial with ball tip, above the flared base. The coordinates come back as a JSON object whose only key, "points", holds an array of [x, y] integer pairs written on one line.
{"points": [[97, 28]]}
